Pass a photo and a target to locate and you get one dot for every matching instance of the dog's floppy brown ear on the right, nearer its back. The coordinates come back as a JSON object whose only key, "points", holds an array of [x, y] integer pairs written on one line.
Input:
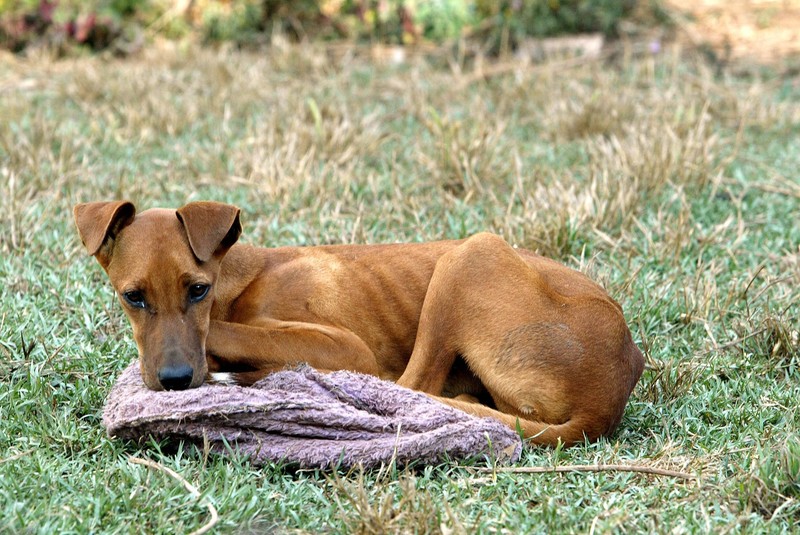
{"points": [[211, 227]]}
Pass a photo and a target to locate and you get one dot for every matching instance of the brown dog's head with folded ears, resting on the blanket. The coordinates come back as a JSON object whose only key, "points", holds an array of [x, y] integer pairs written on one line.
{"points": [[163, 265]]}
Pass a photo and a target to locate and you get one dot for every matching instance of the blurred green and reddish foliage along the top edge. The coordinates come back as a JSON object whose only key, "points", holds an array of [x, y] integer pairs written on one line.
{"points": [[100, 23]]}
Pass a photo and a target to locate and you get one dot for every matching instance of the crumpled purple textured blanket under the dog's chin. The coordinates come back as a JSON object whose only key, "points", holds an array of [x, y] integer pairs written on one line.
{"points": [[306, 418]]}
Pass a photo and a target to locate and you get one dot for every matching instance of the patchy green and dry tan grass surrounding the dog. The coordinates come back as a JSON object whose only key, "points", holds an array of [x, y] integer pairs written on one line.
{"points": [[672, 185]]}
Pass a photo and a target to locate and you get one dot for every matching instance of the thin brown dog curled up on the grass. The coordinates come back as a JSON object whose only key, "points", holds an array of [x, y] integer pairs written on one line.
{"points": [[486, 328]]}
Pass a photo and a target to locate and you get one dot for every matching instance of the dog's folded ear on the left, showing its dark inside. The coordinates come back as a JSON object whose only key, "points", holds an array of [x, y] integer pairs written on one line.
{"points": [[98, 224]]}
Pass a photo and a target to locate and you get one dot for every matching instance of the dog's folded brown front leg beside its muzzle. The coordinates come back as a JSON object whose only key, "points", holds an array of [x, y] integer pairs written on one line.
{"points": [[269, 345]]}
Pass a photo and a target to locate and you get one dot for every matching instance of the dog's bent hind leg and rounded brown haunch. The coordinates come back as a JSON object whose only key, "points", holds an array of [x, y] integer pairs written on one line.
{"points": [[550, 348]]}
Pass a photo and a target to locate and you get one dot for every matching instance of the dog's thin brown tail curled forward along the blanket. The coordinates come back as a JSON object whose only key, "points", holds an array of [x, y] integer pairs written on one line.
{"points": [[573, 431]]}
